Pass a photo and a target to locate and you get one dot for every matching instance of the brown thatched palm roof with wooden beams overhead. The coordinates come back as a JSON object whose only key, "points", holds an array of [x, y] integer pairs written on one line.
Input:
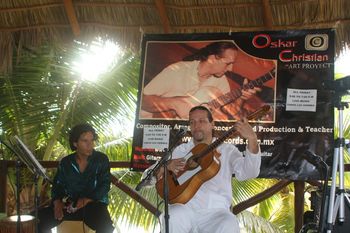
{"points": [[31, 22]]}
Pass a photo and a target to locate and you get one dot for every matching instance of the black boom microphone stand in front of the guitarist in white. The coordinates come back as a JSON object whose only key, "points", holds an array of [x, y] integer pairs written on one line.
{"points": [[163, 162]]}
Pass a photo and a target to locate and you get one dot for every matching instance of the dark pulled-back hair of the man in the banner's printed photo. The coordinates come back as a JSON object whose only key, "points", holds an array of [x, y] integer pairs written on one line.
{"points": [[216, 48]]}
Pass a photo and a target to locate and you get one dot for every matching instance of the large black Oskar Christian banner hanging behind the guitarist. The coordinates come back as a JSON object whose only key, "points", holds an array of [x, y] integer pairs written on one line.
{"points": [[288, 70]]}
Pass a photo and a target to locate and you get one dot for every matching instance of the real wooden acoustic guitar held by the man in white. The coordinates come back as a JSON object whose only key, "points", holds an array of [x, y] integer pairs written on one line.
{"points": [[202, 163]]}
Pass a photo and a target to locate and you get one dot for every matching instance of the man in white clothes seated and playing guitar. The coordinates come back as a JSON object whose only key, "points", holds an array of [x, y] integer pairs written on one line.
{"points": [[208, 209]]}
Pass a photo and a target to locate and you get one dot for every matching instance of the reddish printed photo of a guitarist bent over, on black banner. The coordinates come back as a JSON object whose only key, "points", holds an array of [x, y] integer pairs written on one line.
{"points": [[216, 74]]}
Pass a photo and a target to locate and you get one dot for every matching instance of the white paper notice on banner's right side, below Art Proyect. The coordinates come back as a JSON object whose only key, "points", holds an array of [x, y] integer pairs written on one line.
{"points": [[301, 100]]}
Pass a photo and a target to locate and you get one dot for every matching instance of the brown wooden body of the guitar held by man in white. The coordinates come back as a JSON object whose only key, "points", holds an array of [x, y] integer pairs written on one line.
{"points": [[183, 186]]}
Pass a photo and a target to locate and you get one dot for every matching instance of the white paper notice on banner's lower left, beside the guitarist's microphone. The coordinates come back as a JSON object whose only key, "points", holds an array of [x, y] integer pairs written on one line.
{"points": [[155, 138]]}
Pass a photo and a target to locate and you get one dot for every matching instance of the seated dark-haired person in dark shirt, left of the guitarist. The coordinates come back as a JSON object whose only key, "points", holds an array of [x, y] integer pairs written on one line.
{"points": [[81, 186]]}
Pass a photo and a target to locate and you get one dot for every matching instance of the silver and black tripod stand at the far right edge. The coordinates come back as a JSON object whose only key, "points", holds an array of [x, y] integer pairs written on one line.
{"points": [[337, 200]]}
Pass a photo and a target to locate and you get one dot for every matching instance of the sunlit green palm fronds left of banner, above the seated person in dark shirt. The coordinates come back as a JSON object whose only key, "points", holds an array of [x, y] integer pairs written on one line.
{"points": [[42, 98]]}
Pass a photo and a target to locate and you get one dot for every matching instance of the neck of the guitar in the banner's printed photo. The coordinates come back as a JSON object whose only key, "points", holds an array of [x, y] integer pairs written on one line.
{"points": [[231, 96]]}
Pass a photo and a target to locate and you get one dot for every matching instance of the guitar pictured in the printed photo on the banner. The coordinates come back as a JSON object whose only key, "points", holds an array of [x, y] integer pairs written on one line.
{"points": [[215, 100]]}
